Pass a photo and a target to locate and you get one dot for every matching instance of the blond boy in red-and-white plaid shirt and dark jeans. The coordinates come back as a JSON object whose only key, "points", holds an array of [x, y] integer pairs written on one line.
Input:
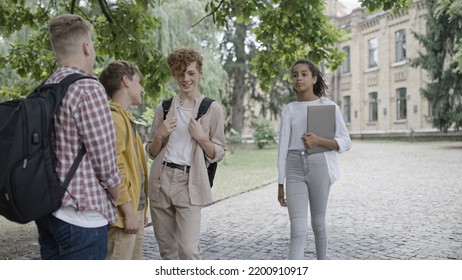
{"points": [[82, 120]]}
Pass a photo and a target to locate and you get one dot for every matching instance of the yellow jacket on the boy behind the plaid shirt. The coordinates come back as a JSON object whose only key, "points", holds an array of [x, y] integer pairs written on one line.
{"points": [[131, 159]]}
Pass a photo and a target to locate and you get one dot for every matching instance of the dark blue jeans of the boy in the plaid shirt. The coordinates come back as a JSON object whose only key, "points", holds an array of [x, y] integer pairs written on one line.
{"points": [[63, 241]]}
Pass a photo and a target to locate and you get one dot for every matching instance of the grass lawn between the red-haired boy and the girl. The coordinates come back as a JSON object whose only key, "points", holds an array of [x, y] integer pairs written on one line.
{"points": [[245, 169]]}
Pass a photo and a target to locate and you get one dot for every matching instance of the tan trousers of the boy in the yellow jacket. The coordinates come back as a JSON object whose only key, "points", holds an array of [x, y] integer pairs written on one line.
{"points": [[125, 246]]}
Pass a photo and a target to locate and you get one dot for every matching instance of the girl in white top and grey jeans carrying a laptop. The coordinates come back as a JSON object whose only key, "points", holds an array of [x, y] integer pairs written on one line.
{"points": [[308, 177]]}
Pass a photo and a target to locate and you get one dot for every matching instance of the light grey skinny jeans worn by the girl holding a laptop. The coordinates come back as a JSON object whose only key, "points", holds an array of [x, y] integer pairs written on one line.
{"points": [[307, 182]]}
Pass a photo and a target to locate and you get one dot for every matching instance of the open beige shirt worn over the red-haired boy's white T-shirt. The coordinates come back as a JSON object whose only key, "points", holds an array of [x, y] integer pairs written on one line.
{"points": [[213, 125]]}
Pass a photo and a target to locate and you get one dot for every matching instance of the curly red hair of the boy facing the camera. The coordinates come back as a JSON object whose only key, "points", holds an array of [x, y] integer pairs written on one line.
{"points": [[181, 58]]}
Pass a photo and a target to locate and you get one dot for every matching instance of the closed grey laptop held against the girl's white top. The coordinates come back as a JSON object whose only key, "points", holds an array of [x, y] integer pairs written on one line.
{"points": [[321, 121]]}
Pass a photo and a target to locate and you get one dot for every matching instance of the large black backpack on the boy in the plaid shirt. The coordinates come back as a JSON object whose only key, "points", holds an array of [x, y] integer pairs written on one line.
{"points": [[29, 185]]}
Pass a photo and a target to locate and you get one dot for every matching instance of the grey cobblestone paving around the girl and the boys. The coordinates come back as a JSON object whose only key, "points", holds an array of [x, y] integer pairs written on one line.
{"points": [[394, 201]]}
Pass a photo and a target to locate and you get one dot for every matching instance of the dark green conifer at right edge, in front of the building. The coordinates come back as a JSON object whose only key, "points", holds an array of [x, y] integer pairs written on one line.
{"points": [[442, 43]]}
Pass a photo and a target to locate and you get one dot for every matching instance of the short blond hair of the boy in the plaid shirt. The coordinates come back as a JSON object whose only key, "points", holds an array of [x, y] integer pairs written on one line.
{"points": [[66, 32]]}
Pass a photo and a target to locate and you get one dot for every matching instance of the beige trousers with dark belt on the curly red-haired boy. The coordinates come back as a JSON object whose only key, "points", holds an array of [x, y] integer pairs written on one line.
{"points": [[176, 222]]}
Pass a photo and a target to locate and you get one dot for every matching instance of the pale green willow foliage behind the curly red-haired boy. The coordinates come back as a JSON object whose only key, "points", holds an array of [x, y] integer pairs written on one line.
{"points": [[175, 30]]}
